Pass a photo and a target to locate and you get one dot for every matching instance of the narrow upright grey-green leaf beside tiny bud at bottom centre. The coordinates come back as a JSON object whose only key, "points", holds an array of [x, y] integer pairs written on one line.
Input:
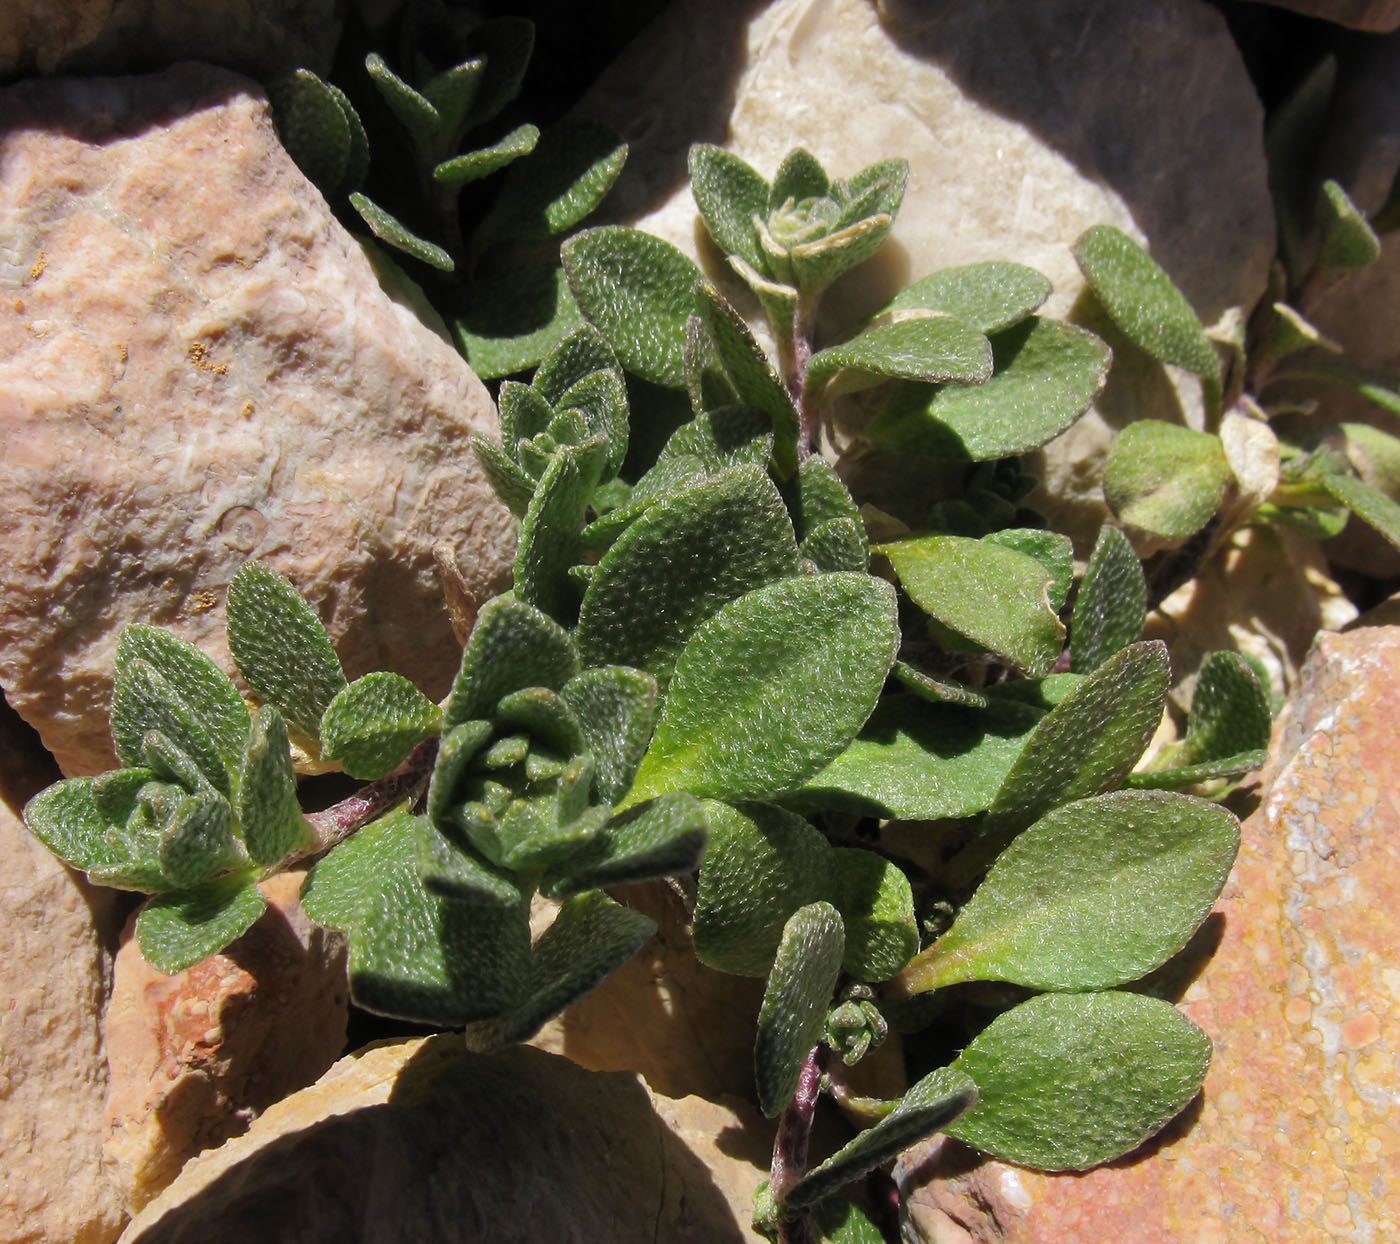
{"points": [[796, 1001]]}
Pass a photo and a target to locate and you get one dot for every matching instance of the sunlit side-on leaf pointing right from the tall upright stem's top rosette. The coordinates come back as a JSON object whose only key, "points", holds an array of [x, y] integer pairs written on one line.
{"points": [[933, 349]]}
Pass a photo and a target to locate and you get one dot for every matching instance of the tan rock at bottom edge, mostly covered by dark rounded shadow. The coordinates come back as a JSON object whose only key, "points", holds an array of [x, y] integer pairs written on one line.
{"points": [[422, 1141]]}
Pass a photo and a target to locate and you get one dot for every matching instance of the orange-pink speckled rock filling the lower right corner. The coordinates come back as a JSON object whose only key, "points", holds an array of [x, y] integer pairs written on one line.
{"points": [[1297, 1137]]}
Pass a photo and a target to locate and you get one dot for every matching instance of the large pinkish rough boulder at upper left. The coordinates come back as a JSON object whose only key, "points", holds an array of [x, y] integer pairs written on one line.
{"points": [[198, 367]]}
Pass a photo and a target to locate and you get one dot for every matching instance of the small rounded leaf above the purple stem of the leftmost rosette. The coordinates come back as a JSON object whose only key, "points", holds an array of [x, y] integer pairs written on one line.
{"points": [[376, 723]]}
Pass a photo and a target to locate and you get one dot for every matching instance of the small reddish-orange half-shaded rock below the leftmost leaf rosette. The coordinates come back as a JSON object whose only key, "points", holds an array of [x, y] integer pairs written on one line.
{"points": [[194, 1059]]}
